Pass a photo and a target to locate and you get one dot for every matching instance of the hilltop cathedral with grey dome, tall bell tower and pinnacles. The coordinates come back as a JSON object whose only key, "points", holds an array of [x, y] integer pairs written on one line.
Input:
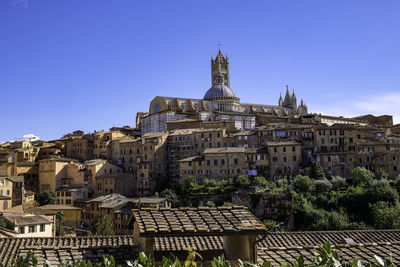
{"points": [[218, 104]]}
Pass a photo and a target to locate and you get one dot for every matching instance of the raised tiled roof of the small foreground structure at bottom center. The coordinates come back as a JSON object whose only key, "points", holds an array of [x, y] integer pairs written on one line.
{"points": [[197, 221]]}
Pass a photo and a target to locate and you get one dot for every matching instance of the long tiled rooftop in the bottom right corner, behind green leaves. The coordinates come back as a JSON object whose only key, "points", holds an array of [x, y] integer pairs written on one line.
{"points": [[282, 247]]}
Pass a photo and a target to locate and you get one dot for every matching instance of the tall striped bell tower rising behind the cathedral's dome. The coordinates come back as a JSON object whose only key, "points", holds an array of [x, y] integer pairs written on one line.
{"points": [[220, 70]]}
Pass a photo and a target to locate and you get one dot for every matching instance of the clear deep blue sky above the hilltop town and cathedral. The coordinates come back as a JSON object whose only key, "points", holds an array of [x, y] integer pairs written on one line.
{"points": [[91, 65]]}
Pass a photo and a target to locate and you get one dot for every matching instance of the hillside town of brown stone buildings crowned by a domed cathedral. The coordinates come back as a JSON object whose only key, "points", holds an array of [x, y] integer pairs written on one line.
{"points": [[212, 174]]}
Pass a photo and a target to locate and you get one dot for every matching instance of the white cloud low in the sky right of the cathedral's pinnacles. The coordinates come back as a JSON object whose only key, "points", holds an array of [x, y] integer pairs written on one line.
{"points": [[388, 104]]}
